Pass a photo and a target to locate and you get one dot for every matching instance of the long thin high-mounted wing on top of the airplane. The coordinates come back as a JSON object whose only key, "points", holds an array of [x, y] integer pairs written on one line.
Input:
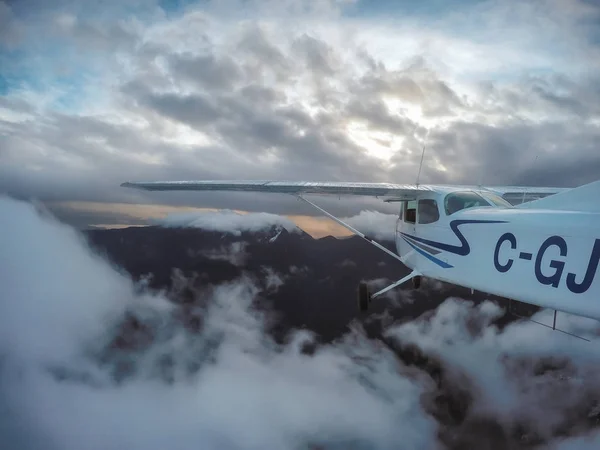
{"points": [[389, 190]]}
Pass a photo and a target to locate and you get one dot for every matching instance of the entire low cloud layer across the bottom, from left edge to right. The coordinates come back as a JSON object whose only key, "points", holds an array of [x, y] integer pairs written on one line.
{"points": [[89, 359]]}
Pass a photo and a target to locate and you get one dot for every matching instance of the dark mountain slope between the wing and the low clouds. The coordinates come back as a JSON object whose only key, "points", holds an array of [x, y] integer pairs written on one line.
{"points": [[313, 281]]}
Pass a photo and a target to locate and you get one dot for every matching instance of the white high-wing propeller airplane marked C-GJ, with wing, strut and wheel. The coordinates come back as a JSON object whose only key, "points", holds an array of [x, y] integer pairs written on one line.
{"points": [[542, 247]]}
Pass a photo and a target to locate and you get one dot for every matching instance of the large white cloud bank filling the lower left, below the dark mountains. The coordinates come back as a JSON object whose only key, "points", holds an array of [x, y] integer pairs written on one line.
{"points": [[67, 376]]}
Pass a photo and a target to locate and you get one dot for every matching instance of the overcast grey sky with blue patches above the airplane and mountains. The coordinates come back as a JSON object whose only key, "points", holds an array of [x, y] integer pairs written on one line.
{"points": [[96, 93]]}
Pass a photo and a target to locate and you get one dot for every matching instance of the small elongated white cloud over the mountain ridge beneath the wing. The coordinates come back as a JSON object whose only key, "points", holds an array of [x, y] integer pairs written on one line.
{"points": [[228, 221]]}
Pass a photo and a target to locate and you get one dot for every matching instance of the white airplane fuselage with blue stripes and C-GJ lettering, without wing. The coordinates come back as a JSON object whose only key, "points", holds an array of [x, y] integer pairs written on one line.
{"points": [[543, 257]]}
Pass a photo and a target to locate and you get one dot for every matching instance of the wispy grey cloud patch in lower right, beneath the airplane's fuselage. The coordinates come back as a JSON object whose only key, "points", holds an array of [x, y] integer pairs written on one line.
{"points": [[514, 372]]}
